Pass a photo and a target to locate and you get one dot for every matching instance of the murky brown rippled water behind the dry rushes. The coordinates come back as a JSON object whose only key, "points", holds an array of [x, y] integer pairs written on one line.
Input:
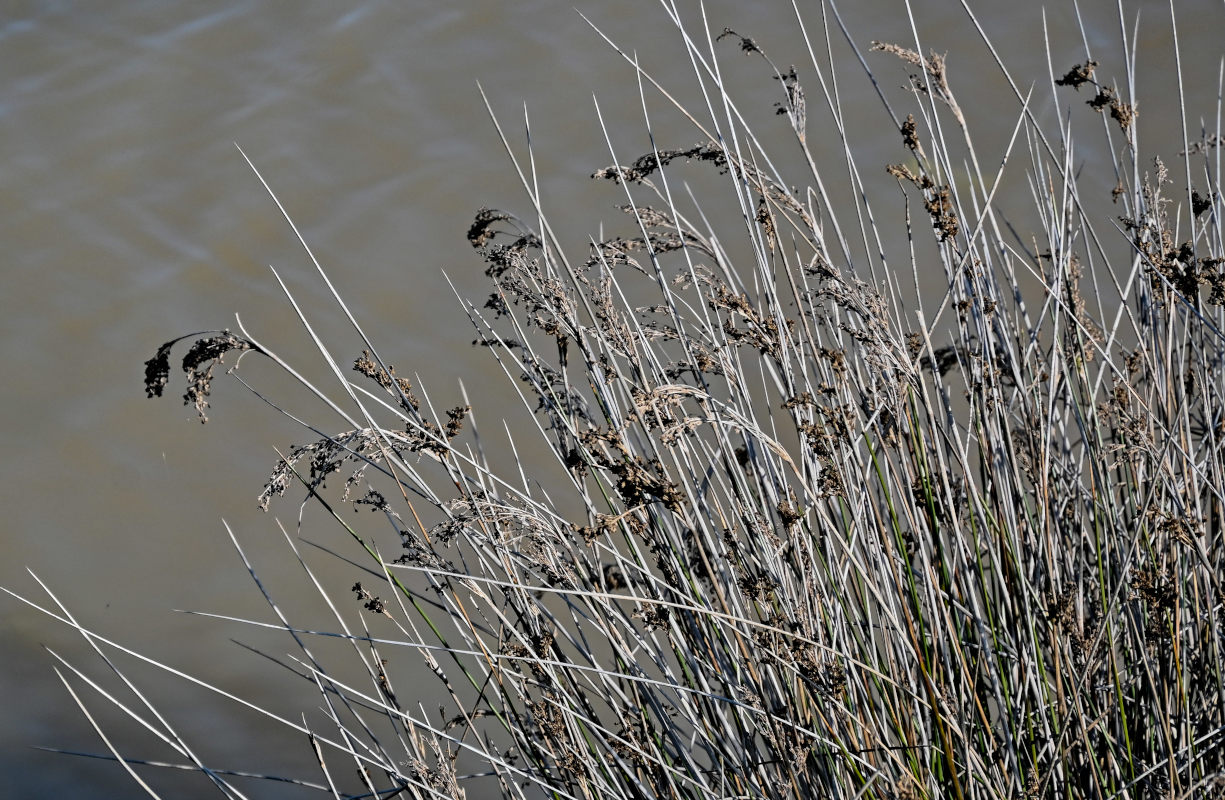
{"points": [[129, 217]]}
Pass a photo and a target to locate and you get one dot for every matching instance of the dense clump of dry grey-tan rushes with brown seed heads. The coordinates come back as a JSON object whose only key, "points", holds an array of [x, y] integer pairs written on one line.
{"points": [[804, 537]]}
